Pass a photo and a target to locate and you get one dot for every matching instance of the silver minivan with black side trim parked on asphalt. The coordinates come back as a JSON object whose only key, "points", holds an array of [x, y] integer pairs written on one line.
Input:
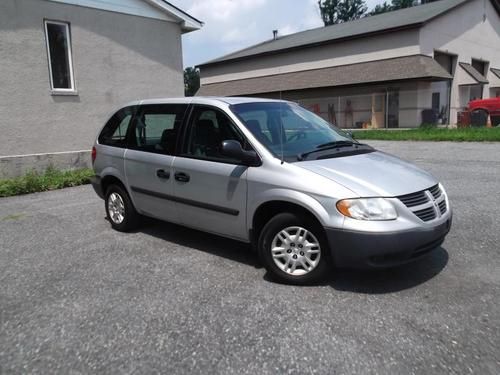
{"points": [[305, 194]]}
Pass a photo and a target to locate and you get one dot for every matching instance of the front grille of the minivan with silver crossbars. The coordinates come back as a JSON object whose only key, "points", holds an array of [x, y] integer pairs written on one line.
{"points": [[427, 205]]}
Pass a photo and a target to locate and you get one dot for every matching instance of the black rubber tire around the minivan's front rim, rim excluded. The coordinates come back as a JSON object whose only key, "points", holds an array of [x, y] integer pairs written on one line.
{"points": [[267, 236]]}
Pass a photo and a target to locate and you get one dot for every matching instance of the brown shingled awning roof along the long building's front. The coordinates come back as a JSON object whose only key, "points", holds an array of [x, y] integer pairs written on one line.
{"points": [[395, 69]]}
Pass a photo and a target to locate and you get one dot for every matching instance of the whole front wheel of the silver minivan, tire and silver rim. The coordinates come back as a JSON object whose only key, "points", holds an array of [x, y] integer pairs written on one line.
{"points": [[291, 264]]}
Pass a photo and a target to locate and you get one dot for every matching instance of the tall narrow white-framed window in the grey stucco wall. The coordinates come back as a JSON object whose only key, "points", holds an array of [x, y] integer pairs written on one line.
{"points": [[58, 40]]}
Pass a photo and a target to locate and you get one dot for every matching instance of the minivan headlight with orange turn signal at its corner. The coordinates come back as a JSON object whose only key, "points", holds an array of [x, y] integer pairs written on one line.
{"points": [[367, 209]]}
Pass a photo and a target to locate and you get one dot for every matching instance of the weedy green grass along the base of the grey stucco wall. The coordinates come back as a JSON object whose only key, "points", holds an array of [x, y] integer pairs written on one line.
{"points": [[51, 179]]}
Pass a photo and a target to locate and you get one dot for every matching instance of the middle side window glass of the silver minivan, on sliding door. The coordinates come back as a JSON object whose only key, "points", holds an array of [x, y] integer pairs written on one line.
{"points": [[155, 127]]}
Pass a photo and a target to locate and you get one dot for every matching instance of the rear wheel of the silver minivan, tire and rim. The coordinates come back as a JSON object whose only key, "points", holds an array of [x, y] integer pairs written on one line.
{"points": [[120, 211]]}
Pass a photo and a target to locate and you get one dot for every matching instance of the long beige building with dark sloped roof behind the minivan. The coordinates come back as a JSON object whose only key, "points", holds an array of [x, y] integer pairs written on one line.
{"points": [[398, 69]]}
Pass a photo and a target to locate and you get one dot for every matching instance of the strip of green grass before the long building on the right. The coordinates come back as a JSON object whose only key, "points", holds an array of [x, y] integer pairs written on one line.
{"points": [[433, 134]]}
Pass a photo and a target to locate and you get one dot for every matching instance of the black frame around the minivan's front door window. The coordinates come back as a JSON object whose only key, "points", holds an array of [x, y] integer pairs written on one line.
{"points": [[185, 137]]}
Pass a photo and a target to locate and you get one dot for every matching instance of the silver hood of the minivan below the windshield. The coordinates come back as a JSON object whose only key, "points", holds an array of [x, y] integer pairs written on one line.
{"points": [[372, 174]]}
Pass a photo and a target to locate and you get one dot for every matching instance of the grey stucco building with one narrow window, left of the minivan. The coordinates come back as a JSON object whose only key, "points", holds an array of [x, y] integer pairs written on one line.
{"points": [[66, 64]]}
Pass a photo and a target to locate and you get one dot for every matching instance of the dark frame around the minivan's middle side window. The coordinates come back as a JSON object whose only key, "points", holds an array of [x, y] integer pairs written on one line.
{"points": [[131, 134]]}
